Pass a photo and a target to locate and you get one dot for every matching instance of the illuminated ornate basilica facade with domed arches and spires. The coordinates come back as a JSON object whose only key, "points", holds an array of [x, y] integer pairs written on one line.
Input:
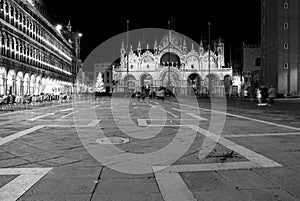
{"points": [[172, 64]]}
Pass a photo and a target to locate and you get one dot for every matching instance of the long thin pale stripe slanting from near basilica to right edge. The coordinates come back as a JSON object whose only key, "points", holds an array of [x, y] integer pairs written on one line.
{"points": [[241, 117]]}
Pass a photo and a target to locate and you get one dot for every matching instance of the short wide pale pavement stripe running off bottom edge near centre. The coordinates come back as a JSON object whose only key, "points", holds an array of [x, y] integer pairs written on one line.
{"points": [[173, 188]]}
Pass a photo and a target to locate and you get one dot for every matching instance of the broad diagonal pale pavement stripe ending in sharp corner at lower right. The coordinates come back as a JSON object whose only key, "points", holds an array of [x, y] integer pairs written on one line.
{"points": [[247, 153]]}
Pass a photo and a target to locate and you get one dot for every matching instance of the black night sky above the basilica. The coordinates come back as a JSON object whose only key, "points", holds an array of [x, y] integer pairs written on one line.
{"points": [[233, 20]]}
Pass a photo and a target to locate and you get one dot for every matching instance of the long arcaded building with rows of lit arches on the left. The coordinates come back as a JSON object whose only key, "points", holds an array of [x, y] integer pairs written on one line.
{"points": [[34, 56]]}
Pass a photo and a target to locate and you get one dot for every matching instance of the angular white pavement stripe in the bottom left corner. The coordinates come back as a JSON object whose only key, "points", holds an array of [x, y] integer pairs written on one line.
{"points": [[26, 179]]}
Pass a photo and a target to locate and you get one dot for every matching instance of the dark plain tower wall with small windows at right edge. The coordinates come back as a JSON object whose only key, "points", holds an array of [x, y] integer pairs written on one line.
{"points": [[280, 26]]}
